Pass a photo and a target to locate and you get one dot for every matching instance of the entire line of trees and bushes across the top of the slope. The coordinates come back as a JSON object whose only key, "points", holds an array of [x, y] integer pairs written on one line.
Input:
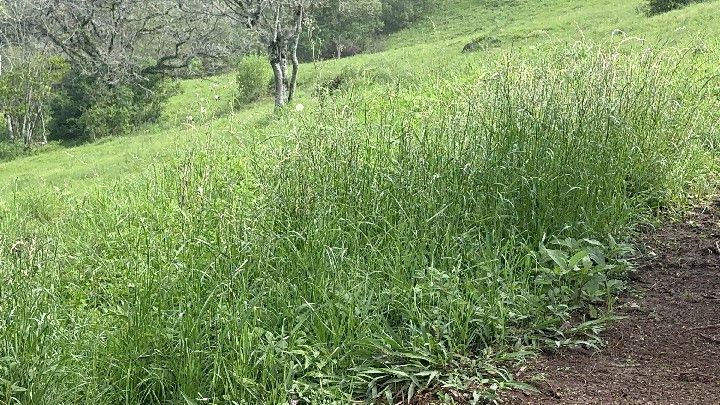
{"points": [[84, 69]]}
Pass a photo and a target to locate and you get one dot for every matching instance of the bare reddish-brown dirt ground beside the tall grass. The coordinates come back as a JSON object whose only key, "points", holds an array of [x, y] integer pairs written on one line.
{"points": [[667, 350]]}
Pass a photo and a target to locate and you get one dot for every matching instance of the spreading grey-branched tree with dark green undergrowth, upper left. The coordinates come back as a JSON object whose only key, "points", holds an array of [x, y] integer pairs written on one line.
{"points": [[120, 52]]}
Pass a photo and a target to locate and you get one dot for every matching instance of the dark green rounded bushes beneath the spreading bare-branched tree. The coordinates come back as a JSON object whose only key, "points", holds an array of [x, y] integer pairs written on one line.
{"points": [[88, 108]]}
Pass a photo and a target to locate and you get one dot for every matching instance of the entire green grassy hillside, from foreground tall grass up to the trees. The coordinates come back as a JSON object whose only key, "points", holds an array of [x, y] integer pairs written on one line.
{"points": [[423, 227]]}
